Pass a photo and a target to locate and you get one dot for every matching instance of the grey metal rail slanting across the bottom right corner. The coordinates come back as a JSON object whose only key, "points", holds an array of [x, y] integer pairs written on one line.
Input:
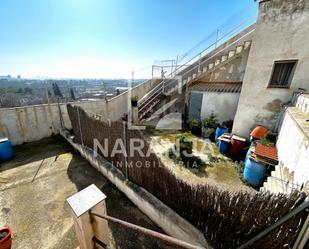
{"points": [[285, 218]]}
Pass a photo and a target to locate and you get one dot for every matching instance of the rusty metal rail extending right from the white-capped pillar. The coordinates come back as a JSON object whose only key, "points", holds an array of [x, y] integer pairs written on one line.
{"points": [[148, 232]]}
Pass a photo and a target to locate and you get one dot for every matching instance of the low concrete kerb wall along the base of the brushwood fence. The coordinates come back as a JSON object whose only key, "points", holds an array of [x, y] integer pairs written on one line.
{"points": [[157, 211]]}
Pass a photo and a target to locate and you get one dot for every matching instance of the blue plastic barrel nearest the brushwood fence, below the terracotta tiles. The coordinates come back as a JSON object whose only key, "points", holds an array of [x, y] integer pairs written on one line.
{"points": [[254, 172]]}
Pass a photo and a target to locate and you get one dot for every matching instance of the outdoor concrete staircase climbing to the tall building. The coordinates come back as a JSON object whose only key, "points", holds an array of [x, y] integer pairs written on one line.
{"points": [[188, 73]]}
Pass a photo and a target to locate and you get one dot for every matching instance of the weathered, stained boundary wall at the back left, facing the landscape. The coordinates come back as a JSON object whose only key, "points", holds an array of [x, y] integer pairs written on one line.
{"points": [[31, 123]]}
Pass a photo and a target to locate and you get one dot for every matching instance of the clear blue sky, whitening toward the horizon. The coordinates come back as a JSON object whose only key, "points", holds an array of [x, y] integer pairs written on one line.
{"points": [[106, 38]]}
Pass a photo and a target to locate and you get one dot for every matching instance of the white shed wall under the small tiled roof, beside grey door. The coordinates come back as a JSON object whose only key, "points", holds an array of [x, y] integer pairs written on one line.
{"points": [[223, 105]]}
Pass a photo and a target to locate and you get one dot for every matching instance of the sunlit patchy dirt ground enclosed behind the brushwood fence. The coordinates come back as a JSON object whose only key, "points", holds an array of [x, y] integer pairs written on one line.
{"points": [[219, 171]]}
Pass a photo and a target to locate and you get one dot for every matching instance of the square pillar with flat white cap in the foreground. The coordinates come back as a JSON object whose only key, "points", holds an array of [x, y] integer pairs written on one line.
{"points": [[88, 226]]}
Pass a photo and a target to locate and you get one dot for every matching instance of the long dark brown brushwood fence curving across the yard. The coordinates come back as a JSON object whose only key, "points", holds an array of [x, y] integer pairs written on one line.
{"points": [[205, 206]]}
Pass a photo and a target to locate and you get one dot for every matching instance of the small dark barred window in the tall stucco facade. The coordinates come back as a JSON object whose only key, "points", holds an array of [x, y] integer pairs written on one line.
{"points": [[282, 73]]}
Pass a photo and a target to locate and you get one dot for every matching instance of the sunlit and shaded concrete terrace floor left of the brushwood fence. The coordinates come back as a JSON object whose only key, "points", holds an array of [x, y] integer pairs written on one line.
{"points": [[33, 191]]}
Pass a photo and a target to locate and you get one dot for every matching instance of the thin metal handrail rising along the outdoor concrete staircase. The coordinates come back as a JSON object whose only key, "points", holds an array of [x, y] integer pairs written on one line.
{"points": [[178, 67]]}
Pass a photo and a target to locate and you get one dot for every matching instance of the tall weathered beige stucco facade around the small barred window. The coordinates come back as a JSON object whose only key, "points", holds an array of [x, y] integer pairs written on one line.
{"points": [[281, 34]]}
